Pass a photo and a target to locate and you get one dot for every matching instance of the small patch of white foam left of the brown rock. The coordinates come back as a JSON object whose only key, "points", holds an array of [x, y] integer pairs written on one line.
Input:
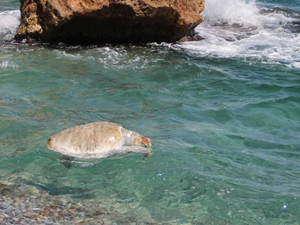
{"points": [[9, 22]]}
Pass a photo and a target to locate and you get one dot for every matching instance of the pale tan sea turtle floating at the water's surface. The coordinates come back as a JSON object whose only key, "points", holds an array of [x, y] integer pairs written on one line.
{"points": [[98, 140]]}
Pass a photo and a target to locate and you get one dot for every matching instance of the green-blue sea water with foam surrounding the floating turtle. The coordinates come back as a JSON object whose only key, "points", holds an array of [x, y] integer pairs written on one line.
{"points": [[223, 115]]}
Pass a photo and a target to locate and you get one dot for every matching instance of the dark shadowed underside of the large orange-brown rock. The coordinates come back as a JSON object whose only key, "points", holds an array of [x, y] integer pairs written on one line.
{"points": [[115, 29]]}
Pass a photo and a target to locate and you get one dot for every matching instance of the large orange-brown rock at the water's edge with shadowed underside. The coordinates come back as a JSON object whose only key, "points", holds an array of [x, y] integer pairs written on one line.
{"points": [[108, 21]]}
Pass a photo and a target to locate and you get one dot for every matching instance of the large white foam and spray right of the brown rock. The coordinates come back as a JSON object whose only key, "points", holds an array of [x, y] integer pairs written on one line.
{"points": [[237, 28]]}
